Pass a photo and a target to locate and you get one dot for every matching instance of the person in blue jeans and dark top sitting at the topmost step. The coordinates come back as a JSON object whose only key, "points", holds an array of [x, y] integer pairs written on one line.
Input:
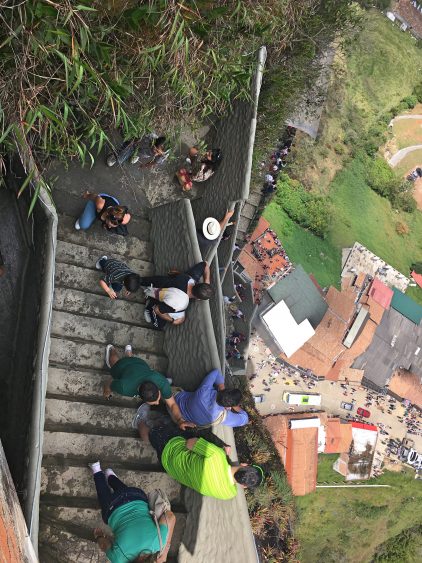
{"points": [[106, 209]]}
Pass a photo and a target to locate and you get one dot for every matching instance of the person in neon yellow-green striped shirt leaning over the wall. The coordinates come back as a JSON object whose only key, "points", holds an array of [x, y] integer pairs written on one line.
{"points": [[199, 463]]}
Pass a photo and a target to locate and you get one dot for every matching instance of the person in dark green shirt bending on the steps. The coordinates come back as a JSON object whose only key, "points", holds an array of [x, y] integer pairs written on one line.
{"points": [[133, 377]]}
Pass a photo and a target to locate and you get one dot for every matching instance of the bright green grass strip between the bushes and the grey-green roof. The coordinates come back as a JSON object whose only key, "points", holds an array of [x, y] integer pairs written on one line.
{"points": [[317, 256]]}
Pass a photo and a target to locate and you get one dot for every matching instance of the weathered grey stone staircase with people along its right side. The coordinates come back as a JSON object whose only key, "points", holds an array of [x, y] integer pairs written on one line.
{"points": [[80, 425]]}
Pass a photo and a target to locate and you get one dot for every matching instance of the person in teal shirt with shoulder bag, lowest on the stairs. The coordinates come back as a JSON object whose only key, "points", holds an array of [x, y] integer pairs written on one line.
{"points": [[126, 511]]}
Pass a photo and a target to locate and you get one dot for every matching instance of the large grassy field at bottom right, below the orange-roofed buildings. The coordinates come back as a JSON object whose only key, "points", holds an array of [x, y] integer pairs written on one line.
{"points": [[347, 525]]}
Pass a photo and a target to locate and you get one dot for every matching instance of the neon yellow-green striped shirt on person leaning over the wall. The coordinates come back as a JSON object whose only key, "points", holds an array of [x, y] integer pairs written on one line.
{"points": [[204, 468]]}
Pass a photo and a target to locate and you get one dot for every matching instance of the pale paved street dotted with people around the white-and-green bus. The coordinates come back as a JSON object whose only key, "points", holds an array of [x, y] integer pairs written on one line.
{"points": [[331, 392]]}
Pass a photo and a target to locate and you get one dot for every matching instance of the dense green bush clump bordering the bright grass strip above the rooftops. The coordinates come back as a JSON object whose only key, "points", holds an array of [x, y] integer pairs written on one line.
{"points": [[305, 208]]}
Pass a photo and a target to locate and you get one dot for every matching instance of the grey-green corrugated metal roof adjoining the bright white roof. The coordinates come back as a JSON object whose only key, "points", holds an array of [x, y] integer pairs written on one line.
{"points": [[301, 296]]}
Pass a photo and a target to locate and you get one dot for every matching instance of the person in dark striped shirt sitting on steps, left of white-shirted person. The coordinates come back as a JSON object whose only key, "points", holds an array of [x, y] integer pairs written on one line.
{"points": [[117, 275]]}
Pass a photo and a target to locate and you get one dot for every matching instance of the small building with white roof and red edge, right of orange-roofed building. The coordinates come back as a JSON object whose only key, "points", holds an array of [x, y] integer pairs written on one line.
{"points": [[357, 463]]}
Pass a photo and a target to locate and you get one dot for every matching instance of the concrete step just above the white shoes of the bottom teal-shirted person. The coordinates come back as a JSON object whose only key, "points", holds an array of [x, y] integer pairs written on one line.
{"points": [[67, 447]]}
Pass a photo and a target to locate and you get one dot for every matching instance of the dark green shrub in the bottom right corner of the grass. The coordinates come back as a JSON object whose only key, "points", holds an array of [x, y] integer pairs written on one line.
{"points": [[401, 547]]}
